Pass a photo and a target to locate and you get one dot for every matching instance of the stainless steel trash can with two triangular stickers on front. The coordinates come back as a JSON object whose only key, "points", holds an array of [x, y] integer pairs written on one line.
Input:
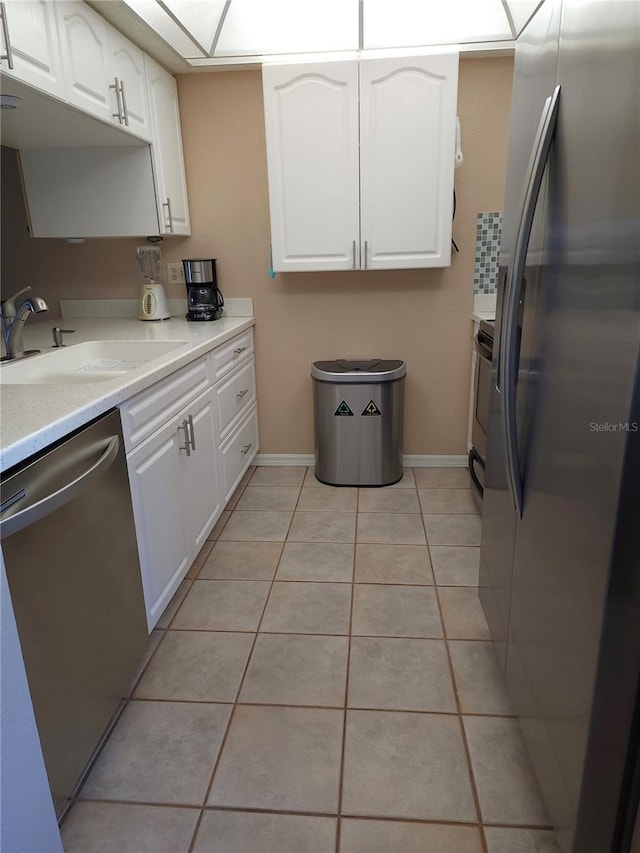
{"points": [[358, 416]]}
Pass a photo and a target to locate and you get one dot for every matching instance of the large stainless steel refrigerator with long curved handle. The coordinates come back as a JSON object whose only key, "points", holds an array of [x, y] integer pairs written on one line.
{"points": [[560, 556]]}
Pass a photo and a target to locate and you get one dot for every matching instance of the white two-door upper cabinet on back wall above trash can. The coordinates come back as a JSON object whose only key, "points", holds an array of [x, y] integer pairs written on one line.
{"points": [[361, 182]]}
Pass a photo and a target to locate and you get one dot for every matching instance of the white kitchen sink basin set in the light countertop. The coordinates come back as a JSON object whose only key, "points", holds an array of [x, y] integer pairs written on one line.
{"points": [[93, 361]]}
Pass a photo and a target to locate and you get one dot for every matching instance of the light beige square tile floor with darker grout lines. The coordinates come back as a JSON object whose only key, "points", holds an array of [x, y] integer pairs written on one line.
{"points": [[322, 682]]}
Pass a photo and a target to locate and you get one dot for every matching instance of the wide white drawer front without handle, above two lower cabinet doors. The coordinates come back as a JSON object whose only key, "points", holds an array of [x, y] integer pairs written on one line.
{"points": [[143, 414]]}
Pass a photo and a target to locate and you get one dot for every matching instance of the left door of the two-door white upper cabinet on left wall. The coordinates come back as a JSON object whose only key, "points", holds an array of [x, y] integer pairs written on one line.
{"points": [[85, 57]]}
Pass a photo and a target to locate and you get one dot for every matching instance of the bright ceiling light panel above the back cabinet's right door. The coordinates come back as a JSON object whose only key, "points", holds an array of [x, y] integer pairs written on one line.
{"points": [[408, 23]]}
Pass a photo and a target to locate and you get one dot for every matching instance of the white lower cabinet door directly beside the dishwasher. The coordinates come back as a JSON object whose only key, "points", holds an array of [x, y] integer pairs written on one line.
{"points": [[156, 475]]}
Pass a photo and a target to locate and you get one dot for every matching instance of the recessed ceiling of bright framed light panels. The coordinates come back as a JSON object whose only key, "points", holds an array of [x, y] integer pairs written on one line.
{"points": [[218, 32]]}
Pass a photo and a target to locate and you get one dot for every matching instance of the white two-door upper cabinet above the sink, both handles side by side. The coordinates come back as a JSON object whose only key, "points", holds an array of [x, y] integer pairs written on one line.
{"points": [[104, 72]]}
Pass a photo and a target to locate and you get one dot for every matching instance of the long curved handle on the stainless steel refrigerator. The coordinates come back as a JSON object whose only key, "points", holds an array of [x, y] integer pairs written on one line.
{"points": [[508, 364]]}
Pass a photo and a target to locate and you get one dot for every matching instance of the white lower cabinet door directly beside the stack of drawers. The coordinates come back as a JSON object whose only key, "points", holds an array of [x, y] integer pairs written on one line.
{"points": [[201, 479]]}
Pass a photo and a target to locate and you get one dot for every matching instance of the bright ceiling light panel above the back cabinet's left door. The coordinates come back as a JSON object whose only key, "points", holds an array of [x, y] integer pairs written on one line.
{"points": [[254, 27]]}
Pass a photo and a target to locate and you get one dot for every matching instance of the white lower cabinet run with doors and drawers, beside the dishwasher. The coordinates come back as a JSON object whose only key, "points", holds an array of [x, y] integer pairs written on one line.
{"points": [[189, 440]]}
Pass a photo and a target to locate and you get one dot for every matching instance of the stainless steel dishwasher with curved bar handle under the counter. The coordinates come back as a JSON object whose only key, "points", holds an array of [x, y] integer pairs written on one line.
{"points": [[70, 552]]}
